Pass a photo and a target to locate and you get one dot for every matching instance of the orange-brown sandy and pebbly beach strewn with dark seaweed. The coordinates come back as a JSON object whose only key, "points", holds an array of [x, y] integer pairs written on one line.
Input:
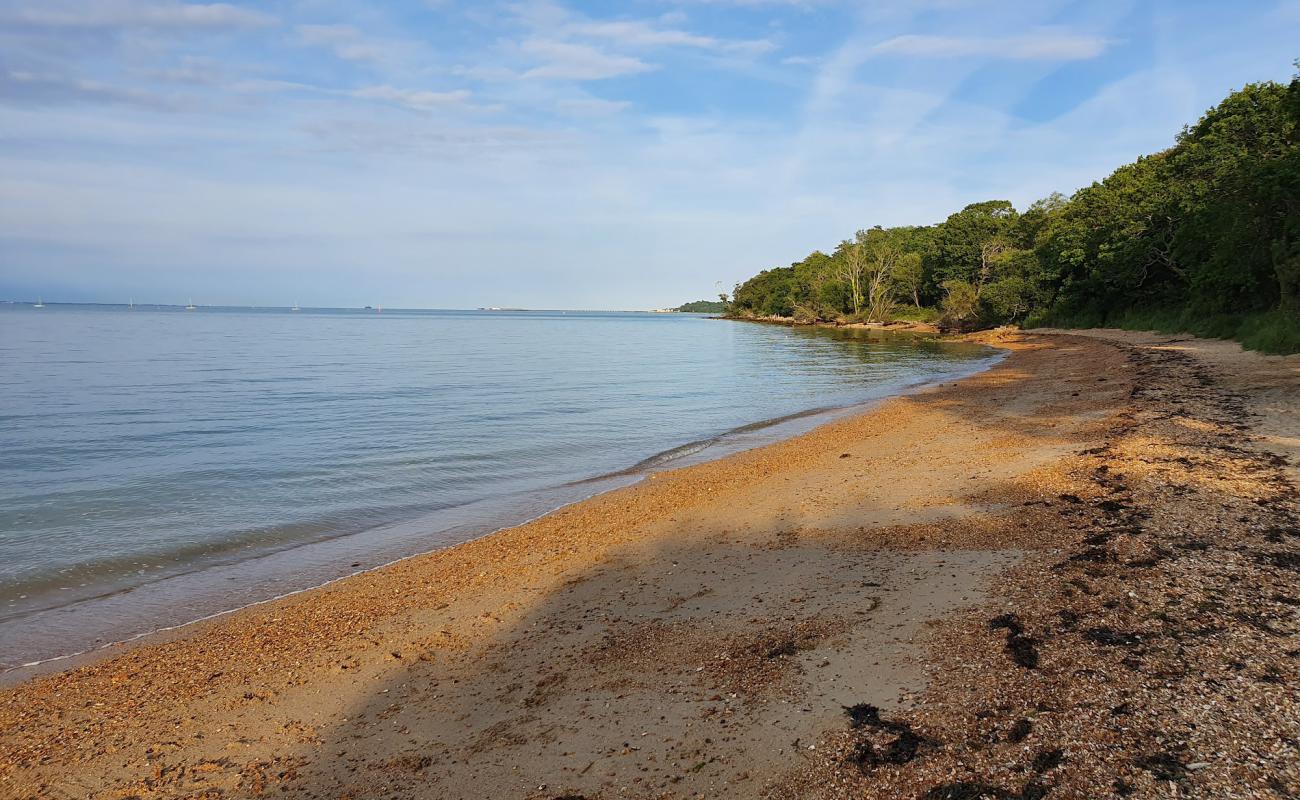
{"points": [[1074, 576]]}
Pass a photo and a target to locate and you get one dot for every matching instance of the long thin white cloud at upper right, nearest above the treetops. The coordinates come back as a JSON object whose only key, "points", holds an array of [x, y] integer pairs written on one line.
{"points": [[1047, 45]]}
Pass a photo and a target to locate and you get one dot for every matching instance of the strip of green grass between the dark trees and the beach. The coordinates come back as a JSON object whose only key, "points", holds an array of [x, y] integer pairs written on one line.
{"points": [[1276, 332]]}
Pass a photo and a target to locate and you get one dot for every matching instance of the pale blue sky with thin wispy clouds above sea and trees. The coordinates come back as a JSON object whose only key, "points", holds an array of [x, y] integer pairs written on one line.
{"points": [[554, 154]]}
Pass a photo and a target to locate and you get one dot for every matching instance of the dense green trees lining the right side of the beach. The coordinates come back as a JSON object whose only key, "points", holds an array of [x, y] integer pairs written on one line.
{"points": [[1203, 237]]}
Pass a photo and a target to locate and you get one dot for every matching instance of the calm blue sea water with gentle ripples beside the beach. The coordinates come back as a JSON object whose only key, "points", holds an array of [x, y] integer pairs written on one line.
{"points": [[158, 466]]}
